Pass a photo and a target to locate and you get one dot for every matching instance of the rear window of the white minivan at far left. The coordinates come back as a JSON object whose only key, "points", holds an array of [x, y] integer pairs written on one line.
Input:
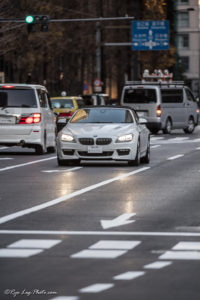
{"points": [[17, 98]]}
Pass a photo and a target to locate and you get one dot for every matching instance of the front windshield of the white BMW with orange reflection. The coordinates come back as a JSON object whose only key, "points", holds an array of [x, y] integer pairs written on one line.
{"points": [[102, 115]]}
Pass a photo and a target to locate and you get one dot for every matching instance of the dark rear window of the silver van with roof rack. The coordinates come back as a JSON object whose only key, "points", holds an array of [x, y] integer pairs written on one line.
{"points": [[140, 95]]}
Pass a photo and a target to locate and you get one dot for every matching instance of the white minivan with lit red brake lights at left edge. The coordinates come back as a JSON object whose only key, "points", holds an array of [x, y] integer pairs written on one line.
{"points": [[26, 117]]}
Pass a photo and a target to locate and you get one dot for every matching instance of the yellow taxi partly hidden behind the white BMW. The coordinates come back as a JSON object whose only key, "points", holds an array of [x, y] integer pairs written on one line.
{"points": [[64, 107]]}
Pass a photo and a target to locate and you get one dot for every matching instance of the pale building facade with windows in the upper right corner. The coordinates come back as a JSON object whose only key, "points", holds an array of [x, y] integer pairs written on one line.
{"points": [[188, 41]]}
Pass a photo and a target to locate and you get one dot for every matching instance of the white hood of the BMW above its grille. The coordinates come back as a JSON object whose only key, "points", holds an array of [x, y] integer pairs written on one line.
{"points": [[100, 130]]}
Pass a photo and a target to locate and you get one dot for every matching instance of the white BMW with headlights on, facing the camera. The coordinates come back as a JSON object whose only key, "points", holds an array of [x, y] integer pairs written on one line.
{"points": [[104, 133]]}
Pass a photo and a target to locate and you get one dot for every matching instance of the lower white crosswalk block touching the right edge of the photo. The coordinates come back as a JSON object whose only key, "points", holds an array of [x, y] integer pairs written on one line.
{"points": [[185, 255]]}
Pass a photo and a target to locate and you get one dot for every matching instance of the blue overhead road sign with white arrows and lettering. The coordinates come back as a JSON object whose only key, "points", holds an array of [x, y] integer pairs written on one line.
{"points": [[150, 35]]}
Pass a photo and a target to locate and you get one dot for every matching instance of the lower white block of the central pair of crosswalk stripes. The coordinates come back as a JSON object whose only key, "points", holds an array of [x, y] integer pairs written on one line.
{"points": [[98, 254]]}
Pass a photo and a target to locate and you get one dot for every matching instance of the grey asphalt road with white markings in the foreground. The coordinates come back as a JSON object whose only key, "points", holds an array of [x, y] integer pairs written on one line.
{"points": [[102, 230]]}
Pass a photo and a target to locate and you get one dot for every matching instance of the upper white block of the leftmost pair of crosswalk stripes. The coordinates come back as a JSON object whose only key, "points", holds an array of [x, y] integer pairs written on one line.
{"points": [[34, 243]]}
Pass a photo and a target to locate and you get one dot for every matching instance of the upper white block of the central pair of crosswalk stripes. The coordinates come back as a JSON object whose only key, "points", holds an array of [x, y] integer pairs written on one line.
{"points": [[125, 245]]}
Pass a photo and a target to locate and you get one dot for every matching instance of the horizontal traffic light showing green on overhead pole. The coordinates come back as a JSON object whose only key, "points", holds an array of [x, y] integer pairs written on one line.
{"points": [[42, 20]]}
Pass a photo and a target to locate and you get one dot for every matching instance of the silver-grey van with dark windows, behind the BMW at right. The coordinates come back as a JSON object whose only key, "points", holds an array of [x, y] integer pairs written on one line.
{"points": [[164, 105]]}
